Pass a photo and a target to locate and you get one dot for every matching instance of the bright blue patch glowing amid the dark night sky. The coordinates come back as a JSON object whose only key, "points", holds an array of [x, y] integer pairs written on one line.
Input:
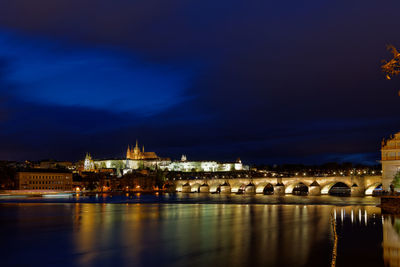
{"points": [[53, 73]]}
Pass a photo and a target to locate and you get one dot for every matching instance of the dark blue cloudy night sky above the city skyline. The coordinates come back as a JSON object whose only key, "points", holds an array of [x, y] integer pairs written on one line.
{"points": [[266, 81]]}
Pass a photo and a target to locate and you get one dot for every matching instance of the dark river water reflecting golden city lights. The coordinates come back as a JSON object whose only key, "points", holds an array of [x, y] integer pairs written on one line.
{"points": [[193, 230]]}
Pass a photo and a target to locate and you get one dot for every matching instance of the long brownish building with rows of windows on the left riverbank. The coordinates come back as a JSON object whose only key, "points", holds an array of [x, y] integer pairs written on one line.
{"points": [[42, 179]]}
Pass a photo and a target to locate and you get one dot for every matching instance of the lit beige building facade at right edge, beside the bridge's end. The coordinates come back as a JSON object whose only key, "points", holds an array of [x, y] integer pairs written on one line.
{"points": [[390, 160]]}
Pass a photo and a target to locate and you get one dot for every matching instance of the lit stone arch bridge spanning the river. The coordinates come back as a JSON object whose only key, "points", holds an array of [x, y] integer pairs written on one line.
{"points": [[359, 185]]}
